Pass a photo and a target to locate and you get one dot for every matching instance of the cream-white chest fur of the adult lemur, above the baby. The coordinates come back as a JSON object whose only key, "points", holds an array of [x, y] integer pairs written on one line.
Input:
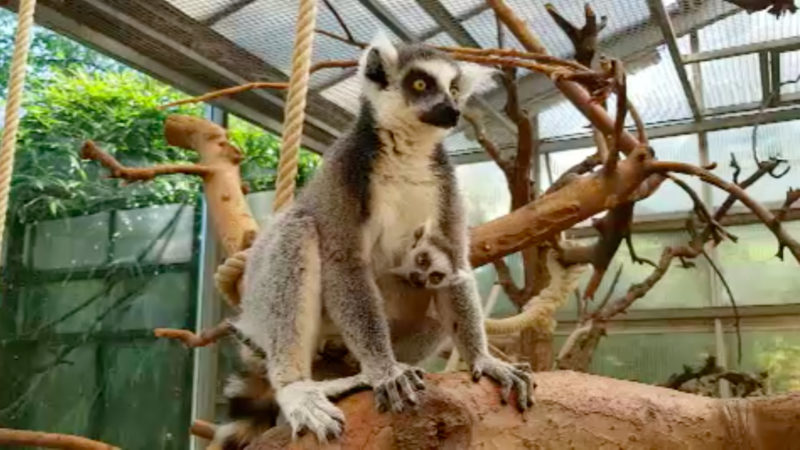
{"points": [[404, 194]]}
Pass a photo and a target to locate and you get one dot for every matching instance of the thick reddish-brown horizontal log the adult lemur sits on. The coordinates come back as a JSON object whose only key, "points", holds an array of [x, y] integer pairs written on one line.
{"points": [[573, 410]]}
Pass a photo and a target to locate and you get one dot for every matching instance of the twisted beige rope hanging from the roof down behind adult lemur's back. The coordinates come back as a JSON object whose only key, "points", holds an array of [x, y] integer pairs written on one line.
{"points": [[294, 114]]}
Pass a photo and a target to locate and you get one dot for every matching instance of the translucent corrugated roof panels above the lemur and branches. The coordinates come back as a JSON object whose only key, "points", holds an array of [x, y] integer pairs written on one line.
{"points": [[264, 29]]}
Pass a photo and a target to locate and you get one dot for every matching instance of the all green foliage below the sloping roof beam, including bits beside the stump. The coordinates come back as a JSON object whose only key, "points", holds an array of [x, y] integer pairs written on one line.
{"points": [[76, 94]]}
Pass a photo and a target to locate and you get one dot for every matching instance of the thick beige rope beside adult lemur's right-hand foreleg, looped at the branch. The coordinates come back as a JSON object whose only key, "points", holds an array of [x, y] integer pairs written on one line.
{"points": [[538, 312]]}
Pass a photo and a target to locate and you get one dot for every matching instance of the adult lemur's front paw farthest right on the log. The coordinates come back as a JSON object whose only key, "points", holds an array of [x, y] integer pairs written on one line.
{"points": [[516, 376]]}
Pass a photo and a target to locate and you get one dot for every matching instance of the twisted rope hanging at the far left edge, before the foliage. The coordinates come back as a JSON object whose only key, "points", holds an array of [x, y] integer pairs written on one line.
{"points": [[16, 86]]}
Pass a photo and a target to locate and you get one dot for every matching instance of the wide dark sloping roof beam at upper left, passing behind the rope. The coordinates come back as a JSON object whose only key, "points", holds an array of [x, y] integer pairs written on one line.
{"points": [[163, 41]]}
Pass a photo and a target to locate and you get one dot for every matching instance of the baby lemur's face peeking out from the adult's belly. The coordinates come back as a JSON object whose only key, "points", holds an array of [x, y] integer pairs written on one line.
{"points": [[429, 261]]}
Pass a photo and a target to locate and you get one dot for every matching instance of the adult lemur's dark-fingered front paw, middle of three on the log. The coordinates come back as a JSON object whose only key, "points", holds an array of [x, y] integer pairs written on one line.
{"points": [[398, 388]]}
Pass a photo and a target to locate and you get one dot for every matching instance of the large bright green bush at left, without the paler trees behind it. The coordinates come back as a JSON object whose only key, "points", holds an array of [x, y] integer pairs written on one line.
{"points": [[119, 112]]}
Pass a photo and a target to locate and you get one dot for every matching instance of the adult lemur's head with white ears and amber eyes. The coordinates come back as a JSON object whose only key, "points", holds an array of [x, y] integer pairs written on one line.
{"points": [[418, 85]]}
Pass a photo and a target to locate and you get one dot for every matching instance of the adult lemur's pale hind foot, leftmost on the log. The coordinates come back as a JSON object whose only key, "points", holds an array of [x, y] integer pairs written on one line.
{"points": [[307, 408]]}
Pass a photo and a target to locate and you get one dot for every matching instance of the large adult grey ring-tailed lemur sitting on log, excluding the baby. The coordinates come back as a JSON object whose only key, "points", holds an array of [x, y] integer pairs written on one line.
{"points": [[324, 258]]}
